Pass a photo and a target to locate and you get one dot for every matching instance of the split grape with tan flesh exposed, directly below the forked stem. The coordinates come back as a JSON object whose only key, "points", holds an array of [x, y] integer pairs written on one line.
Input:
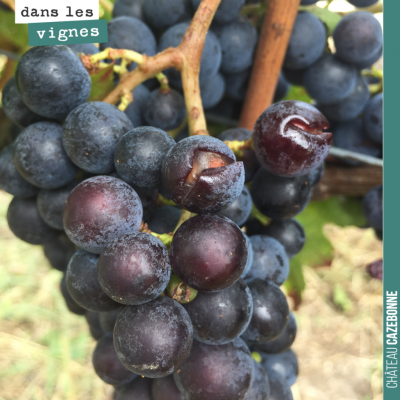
{"points": [[200, 174]]}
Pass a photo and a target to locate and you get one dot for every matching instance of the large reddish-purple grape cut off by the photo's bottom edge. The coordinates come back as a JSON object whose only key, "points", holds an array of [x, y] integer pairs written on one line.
{"points": [[220, 372]]}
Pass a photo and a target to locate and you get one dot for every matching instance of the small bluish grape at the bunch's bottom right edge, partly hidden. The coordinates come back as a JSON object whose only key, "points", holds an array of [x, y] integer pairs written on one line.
{"points": [[285, 364]]}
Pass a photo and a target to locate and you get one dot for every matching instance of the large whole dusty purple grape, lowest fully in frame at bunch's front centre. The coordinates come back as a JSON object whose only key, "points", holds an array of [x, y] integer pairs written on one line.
{"points": [[153, 339]]}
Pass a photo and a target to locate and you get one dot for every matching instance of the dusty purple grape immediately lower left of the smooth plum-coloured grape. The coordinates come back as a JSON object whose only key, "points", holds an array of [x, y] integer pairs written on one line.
{"points": [[134, 268]]}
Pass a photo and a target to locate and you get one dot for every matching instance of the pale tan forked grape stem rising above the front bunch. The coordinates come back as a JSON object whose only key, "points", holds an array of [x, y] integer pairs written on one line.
{"points": [[185, 58]]}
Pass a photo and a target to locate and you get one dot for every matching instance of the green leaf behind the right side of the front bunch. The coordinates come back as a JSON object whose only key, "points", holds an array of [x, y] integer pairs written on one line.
{"points": [[342, 211]]}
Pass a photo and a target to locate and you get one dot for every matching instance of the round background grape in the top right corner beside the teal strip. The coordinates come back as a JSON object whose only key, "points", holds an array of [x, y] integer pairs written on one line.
{"points": [[357, 36]]}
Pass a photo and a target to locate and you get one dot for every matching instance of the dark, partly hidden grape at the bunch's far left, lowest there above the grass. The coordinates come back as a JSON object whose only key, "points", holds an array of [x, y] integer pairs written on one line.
{"points": [[26, 223]]}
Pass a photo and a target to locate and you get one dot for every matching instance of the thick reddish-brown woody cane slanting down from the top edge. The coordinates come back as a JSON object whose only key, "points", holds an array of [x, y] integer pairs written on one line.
{"points": [[274, 38]]}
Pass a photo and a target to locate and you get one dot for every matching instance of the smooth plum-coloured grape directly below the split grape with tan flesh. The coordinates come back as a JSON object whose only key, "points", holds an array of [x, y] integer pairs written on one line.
{"points": [[209, 252]]}
